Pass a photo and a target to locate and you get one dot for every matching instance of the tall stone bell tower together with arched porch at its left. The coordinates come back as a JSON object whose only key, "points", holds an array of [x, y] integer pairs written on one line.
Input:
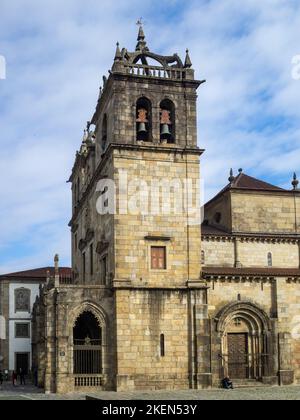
{"points": [[136, 236]]}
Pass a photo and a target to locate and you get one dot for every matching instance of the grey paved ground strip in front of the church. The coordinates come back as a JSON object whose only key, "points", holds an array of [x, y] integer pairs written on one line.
{"points": [[7, 392]]}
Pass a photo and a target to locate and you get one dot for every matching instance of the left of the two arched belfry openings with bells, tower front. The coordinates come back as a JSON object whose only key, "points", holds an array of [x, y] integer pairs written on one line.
{"points": [[143, 120]]}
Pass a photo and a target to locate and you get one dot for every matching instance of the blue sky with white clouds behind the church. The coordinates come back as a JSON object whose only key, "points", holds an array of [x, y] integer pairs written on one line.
{"points": [[57, 52]]}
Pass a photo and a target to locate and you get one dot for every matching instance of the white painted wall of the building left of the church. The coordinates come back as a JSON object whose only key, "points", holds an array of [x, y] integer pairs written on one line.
{"points": [[19, 345]]}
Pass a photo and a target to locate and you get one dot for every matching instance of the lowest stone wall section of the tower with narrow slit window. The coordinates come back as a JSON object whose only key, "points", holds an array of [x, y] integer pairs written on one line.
{"points": [[142, 316]]}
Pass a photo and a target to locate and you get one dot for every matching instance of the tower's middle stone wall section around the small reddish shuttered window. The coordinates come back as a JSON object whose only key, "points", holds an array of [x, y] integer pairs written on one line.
{"points": [[133, 231]]}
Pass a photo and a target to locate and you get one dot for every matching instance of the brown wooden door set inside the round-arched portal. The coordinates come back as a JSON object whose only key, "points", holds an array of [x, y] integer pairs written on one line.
{"points": [[238, 356]]}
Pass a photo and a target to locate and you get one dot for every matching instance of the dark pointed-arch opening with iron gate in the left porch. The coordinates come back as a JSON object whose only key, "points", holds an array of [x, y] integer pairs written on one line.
{"points": [[87, 337]]}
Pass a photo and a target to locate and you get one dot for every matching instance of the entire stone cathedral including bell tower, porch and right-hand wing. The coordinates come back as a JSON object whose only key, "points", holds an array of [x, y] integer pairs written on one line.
{"points": [[158, 301]]}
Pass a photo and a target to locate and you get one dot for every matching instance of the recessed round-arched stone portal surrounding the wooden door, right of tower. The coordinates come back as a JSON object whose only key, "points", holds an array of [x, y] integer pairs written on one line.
{"points": [[246, 342]]}
